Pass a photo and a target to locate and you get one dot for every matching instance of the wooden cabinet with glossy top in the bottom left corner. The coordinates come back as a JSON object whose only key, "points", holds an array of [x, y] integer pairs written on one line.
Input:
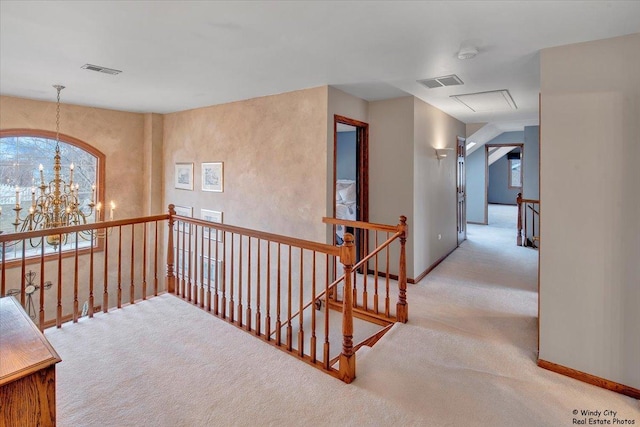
{"points": [[27, 370]]}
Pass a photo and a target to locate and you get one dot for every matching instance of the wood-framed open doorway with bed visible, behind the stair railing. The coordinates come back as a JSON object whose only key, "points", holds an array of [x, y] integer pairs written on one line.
{"points": [[350, 176]]}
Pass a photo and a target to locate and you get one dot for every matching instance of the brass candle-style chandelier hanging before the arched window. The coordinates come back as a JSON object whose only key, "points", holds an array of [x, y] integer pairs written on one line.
{"points": [[57, 203]]}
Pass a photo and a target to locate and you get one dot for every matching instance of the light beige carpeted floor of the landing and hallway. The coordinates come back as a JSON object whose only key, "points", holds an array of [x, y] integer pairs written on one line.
{"points": [[467, 357]]}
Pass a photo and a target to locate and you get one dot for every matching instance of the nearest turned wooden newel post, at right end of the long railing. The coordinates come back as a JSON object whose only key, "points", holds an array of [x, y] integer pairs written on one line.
{"points": [[347, 357]]}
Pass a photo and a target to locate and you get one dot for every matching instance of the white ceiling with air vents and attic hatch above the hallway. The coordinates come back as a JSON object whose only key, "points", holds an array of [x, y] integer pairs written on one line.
{"points": [[181, 55]]}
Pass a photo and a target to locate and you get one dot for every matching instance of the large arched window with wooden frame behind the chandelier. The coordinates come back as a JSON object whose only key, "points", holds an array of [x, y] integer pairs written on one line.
{"points": [[22, 151]]}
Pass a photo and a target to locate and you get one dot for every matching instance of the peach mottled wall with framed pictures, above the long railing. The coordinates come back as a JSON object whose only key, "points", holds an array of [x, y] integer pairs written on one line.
{"points": [[274, 151]]}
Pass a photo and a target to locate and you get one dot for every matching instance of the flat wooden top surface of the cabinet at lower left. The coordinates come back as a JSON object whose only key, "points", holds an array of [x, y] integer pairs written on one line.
{"points": [[23, 348]]}
